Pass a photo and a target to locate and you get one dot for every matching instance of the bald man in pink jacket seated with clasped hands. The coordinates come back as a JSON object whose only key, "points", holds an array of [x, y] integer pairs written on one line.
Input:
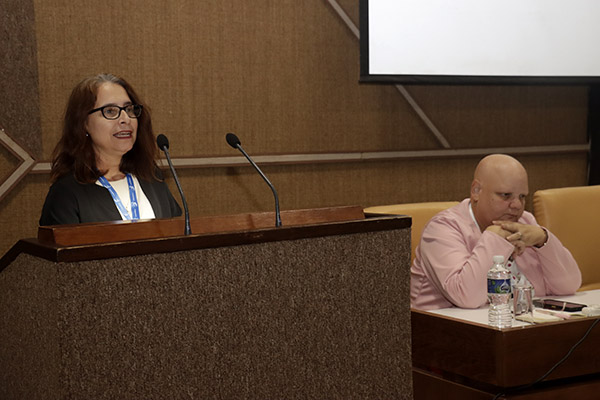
{"points": [[457, 245]]}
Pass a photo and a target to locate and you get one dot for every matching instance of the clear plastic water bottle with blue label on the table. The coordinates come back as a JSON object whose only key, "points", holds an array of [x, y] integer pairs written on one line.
{"points": [[499, 314]]}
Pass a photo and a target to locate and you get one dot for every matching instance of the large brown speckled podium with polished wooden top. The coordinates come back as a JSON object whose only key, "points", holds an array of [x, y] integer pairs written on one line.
{"points": [[318, 308]]}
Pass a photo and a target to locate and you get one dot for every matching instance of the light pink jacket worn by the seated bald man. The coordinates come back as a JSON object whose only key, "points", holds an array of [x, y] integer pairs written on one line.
{"points": [[453, 258]]}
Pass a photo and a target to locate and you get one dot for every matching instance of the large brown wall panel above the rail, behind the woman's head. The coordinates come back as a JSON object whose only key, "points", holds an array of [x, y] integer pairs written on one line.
{"points": [[280, 74]]}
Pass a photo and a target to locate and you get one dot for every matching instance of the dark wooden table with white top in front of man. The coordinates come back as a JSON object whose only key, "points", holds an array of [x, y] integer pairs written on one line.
{"points": [[457, 355]]}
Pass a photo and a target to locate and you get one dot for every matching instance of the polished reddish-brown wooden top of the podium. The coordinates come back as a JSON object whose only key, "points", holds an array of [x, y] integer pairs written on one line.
{"points": [[69, 243]]}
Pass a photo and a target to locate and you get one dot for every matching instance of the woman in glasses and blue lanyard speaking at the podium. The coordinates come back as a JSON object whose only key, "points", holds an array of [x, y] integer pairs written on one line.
{"points": [[104, 166]]}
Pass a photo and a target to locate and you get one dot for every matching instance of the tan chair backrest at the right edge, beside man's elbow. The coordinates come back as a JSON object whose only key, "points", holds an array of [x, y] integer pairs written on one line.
{"points": [[573, 215]]}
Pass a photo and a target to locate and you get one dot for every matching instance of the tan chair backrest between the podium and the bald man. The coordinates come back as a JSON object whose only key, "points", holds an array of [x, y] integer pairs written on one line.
{"points": [[420, 213]]}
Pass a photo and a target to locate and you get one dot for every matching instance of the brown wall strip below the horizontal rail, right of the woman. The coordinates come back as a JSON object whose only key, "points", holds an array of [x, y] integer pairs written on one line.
{"points": [[235, 190]]}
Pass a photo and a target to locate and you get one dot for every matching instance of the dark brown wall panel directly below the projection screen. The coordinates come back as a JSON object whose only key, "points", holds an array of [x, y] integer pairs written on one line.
{"points": [[506, 116]]}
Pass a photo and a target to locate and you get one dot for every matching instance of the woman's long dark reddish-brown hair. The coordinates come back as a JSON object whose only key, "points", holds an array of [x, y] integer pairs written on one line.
{"points": [[75, 153]]}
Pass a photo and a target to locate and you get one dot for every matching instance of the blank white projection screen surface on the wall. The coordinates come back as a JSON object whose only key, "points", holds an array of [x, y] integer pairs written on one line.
{"points": [[538, 38]]}
